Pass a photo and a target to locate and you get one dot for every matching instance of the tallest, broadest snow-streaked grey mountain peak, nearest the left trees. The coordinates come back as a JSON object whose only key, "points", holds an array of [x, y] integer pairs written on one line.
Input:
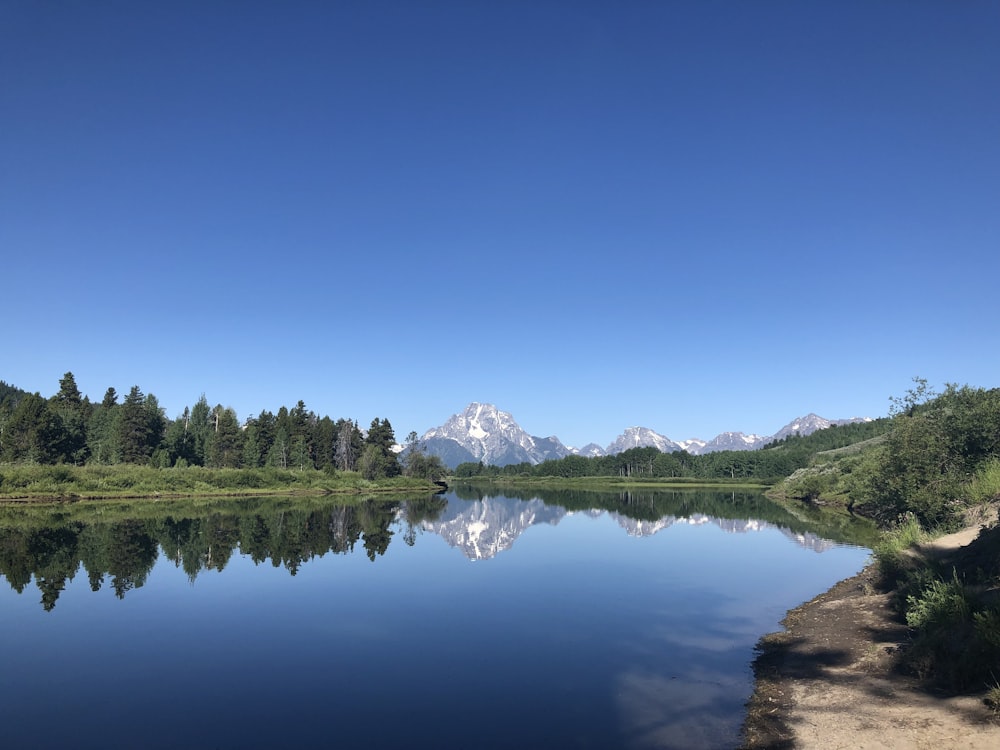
{"points": [[484, 433]]}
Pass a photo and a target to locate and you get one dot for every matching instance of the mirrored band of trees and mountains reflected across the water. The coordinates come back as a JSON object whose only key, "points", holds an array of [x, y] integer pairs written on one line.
{"points": [[51, 548]]}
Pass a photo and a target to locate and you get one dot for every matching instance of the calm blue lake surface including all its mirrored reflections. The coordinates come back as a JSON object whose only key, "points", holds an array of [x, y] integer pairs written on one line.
{"points": [[470, 620]]}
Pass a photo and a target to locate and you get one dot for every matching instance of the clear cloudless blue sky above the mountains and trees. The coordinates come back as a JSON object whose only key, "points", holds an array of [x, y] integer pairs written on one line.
{"points": [[690, 216]]}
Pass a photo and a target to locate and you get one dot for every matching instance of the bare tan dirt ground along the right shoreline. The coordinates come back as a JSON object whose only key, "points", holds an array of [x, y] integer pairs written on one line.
{"points": [[830, 680]]}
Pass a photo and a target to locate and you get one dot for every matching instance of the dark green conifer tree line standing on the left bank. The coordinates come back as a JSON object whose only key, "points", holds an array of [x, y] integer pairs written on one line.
{"points": [[69, 429]]}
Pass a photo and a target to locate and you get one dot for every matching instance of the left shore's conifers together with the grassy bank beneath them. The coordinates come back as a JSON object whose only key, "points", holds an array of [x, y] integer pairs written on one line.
{"points": [[66, 446]]}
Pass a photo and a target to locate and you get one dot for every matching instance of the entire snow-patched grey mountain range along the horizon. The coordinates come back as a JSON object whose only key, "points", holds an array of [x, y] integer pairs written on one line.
{"points": [[484, 433]]}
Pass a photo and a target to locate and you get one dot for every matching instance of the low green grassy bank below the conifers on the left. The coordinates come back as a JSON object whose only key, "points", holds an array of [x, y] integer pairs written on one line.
{"points": [[130, 481]]}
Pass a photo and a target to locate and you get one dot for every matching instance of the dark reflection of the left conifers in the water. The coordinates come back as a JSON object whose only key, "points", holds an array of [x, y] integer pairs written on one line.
{"points": [[51, 551]]}
